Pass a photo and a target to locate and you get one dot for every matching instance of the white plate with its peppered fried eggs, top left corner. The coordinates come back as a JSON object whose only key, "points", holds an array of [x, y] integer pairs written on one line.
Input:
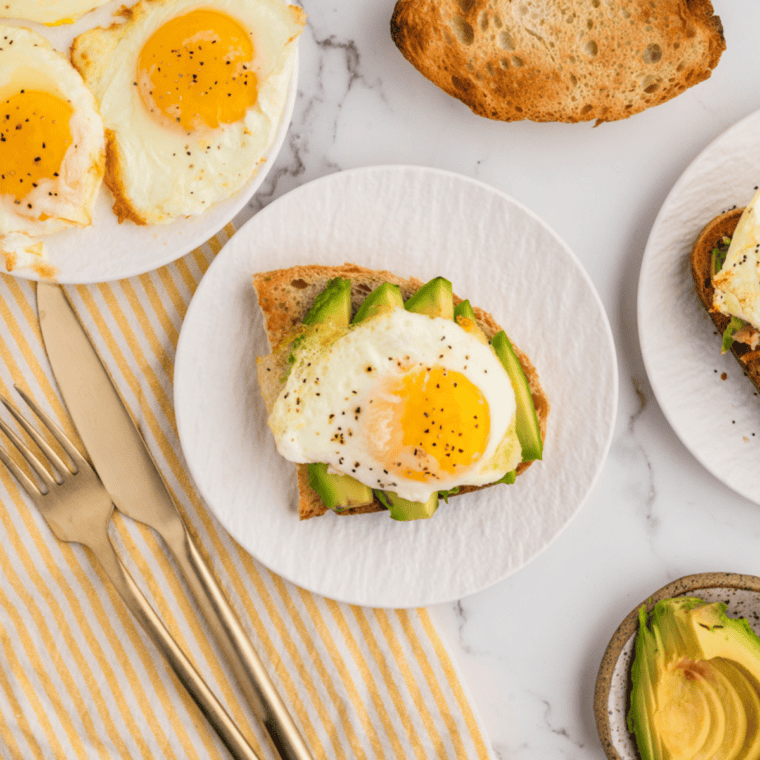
{"points": [[131, 134]]}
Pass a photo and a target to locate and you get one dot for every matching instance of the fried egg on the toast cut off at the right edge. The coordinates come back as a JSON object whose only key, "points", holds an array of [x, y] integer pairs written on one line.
{"points": [[737, 284]]}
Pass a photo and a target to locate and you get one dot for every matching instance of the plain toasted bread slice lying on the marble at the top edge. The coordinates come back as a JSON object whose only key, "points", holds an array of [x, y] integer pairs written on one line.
{"points": [[572, 61]]}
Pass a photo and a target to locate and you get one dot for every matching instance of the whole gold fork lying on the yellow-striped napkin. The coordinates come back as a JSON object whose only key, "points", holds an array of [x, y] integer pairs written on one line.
{"points": [[78, 509]]}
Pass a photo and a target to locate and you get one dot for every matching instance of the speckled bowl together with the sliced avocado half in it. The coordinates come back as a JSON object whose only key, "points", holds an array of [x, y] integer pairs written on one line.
{"points": [[711, 664]]}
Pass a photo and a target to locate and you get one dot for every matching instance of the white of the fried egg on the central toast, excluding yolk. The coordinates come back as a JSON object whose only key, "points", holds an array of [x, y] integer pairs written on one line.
{"points": [[328, 383]]}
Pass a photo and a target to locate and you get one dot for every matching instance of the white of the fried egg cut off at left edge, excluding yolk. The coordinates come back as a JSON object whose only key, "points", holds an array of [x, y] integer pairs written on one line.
{"points": [[28, 61]]}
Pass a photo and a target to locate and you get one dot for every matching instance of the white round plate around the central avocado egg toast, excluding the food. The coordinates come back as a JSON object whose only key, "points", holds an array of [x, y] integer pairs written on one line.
{"points": [[415, 222]]}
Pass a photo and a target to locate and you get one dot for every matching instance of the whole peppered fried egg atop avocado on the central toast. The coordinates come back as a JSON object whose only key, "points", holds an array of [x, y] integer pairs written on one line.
{"points": [[402, 402]]}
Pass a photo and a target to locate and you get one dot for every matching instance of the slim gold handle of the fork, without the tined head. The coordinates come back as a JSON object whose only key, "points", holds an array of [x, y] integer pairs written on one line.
{"points": [[139, 606]]}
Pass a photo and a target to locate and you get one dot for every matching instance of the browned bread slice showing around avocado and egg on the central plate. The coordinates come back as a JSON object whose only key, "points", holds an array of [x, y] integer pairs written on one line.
{"points": [[287, 296]]}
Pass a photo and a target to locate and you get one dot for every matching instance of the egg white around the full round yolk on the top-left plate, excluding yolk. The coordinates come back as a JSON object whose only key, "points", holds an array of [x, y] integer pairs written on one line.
{"points": [[164, 173]]}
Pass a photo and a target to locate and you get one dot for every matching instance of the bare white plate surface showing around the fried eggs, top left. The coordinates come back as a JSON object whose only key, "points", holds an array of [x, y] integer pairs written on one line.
{"points": [[107, 250]]}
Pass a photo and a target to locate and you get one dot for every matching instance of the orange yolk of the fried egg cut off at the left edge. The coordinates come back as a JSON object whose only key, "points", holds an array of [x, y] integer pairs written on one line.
{"points": [[34, 138]]}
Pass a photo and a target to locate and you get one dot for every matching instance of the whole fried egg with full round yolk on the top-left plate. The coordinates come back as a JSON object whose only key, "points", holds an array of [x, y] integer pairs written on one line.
{"points": [[192, 94]]}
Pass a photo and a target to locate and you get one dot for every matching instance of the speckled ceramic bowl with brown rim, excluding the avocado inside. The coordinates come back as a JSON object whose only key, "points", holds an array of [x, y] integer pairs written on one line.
{"points": [[741, 593]]}
